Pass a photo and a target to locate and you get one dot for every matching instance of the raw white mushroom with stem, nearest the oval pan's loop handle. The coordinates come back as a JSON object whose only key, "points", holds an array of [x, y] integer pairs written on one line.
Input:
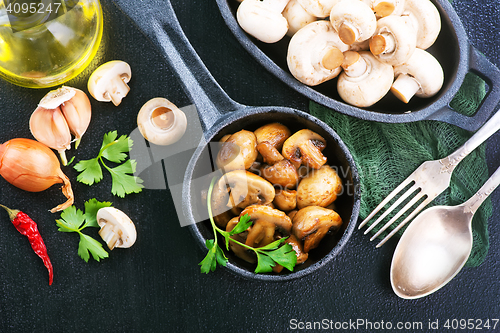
{"points": [[421, 75]]}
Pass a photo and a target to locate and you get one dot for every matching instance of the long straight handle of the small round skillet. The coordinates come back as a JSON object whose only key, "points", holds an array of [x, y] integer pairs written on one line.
{"points": [[157, 20]]}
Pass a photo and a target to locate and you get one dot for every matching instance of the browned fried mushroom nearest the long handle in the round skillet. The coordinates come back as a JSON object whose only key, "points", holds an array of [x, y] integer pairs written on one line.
{"points": [[238, 152]]}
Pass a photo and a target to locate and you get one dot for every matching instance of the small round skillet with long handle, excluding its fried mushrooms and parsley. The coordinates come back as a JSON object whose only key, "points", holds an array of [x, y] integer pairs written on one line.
{"points": [[220, 115]]}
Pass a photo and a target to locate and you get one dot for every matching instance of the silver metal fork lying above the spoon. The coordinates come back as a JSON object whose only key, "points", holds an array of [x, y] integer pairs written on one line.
{"points": [[427, 182]]}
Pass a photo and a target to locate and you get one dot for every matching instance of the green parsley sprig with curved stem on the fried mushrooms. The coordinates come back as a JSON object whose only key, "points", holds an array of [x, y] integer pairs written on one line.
{"points": [[275, 253]]}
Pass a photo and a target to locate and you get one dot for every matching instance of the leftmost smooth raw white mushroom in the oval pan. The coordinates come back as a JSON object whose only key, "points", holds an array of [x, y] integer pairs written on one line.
{"points": [[263, 19]]}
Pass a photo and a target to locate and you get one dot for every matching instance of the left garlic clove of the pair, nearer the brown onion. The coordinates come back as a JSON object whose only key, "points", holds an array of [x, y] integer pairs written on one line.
{"points": [[49, 127]]}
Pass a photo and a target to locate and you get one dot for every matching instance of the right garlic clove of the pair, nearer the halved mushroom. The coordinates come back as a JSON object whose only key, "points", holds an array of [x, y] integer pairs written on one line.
{"points": [[77, 112]]}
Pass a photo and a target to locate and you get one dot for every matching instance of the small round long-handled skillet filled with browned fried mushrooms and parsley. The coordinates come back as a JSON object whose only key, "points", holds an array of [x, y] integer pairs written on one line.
{"points": [[284, 174]]}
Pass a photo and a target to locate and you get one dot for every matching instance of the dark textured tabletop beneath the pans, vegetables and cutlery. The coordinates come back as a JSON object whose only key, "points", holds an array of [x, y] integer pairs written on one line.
{"points": [[156, 286]]}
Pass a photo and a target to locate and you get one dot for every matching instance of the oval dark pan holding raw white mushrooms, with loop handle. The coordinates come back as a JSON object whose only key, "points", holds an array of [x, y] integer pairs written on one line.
{"points": [[392, 61]]}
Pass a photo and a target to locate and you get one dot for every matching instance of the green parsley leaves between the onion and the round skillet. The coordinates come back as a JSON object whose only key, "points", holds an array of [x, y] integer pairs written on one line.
{"points": [[114, 150]]}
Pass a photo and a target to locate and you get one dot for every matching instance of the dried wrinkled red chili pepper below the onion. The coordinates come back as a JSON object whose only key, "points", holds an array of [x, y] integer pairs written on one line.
{"points": [[27, 227]]}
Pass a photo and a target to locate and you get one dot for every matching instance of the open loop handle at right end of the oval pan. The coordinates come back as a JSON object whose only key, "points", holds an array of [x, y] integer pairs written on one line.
{"points": [[482, 67]]}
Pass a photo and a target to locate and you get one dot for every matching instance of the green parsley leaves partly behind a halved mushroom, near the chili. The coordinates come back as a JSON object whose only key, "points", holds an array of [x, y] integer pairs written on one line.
{"points": [[74, 220]]}
